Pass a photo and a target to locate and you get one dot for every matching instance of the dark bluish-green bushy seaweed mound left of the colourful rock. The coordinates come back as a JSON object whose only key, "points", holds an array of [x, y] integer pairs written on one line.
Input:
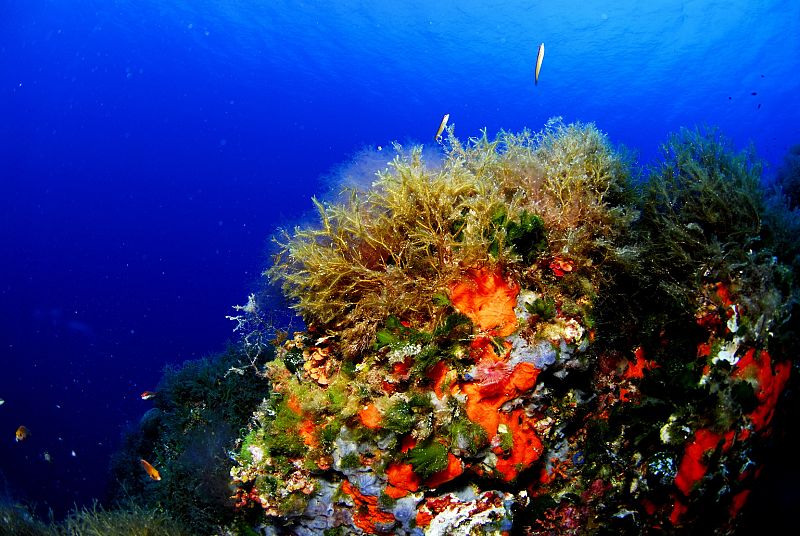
{"points": [[200, 409]]}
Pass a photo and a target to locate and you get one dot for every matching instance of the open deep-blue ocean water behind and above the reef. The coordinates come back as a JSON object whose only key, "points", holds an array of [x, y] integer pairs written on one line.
{"points": [[149, 149]]}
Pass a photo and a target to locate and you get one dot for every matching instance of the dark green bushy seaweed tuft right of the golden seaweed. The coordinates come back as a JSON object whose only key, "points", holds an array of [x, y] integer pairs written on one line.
{"points": [[702, 204]]}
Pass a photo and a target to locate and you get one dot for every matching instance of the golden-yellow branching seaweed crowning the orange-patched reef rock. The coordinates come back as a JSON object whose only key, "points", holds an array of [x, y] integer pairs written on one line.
{"points": [[389, 250]]}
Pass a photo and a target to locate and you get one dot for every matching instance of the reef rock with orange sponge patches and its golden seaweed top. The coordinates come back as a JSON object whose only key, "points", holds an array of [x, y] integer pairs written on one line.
{"points": [[505, 342]]}
